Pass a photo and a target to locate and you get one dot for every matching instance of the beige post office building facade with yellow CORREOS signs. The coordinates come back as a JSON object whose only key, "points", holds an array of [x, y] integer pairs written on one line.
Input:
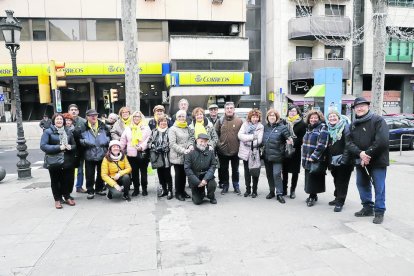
{"points": [[202, 41]]}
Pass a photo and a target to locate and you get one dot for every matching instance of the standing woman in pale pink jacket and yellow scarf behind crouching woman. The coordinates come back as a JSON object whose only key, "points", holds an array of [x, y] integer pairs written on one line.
{"points": [[134, 140]]}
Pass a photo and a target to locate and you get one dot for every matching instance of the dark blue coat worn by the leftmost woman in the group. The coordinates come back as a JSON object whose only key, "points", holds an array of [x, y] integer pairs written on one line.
{"points": [[50, 144]]}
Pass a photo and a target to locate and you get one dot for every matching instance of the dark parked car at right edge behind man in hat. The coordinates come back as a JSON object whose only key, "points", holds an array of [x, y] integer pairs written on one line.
{"points": [[399, 126]]}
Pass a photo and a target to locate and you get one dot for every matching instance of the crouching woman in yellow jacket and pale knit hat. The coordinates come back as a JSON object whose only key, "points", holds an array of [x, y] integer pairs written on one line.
{"points": [[115, 171]]}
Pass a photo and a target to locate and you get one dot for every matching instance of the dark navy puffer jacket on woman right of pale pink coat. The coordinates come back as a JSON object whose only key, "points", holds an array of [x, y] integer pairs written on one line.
{"points": [[274, 142]]}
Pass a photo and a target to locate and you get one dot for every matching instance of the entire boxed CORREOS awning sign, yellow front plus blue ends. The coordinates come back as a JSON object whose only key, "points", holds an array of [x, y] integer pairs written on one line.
{"points": [[208, 78]]}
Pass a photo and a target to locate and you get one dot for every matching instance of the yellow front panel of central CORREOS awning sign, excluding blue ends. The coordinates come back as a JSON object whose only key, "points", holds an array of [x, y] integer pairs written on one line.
{"points": [[211, 78]]}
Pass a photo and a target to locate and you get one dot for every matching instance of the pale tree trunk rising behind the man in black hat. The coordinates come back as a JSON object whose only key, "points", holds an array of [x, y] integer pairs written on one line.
{"points": [[379, 9]]}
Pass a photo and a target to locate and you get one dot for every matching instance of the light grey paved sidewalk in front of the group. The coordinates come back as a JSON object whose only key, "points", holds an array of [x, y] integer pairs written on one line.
{"points": [[238, 236]]}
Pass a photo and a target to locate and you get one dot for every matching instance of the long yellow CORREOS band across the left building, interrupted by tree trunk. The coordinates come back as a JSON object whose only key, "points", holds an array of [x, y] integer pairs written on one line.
{"points": [[80, 69]]}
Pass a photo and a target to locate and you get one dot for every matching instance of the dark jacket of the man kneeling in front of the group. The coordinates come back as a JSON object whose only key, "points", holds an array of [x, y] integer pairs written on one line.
{"points": [[199, 165]]}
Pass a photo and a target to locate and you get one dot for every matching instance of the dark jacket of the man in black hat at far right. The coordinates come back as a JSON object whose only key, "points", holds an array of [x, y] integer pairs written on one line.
{"points": [[371, 136]]}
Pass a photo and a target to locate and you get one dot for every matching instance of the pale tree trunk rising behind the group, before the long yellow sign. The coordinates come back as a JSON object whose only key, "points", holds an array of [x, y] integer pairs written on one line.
{"points": [[130, 36]]}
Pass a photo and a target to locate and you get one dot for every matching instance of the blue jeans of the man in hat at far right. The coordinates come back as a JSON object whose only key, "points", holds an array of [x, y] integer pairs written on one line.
{"points": [[365, 191]]}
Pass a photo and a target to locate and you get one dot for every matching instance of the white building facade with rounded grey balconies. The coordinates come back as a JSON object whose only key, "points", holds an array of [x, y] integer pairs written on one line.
{"points": [[298, 40]]}
